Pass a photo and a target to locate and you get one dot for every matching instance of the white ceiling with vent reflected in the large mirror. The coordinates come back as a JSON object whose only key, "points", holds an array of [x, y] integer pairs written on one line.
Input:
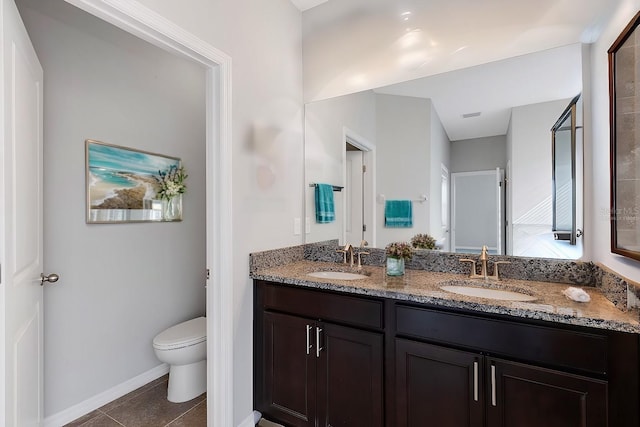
{"points": [[493, 89]]}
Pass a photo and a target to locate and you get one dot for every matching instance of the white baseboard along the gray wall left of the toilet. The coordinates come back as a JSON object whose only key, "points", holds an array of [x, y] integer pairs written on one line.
{"points": [[97, 401]]}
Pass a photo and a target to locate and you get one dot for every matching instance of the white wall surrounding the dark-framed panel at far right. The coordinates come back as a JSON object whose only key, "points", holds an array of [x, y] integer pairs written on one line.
{"points": [[598, 232]]}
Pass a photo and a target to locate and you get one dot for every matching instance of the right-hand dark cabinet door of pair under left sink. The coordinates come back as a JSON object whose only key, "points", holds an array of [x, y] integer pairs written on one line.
{"points": [[350, 377]]}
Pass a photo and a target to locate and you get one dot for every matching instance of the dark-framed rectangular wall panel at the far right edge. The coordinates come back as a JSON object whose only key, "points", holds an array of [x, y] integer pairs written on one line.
{"points": [[624, 108]]}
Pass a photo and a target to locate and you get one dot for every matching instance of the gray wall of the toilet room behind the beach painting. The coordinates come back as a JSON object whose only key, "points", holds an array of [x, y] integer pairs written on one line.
{"points": [[120, 284]]}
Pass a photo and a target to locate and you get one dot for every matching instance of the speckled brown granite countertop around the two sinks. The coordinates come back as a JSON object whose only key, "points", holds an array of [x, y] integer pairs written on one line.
{"points": [[424, 287]]}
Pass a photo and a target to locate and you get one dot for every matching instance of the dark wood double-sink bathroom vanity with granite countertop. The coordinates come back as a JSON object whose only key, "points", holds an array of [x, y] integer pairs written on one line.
{"points": [[403, 352]]}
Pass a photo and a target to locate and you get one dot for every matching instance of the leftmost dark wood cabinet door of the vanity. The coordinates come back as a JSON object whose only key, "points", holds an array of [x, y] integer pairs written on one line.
{"points": [[289, 384]]}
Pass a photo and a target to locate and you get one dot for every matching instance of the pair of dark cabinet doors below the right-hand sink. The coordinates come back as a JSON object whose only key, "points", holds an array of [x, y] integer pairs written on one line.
{"points": [[457, 388]]}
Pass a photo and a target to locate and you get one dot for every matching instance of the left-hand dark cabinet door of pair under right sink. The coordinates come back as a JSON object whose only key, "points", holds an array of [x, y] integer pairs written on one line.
{"points": [[437, 386]]}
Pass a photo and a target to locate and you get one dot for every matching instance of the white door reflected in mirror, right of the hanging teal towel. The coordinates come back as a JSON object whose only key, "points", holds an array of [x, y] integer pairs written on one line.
{"points": [[354, 221]]}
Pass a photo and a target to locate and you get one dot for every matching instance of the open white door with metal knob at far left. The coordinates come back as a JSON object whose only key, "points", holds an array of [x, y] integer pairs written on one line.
{"points": [[21, 210]]}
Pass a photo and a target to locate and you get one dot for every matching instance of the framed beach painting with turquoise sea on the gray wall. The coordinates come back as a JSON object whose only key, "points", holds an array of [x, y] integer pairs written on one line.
{"points": [[121, 183]]}
